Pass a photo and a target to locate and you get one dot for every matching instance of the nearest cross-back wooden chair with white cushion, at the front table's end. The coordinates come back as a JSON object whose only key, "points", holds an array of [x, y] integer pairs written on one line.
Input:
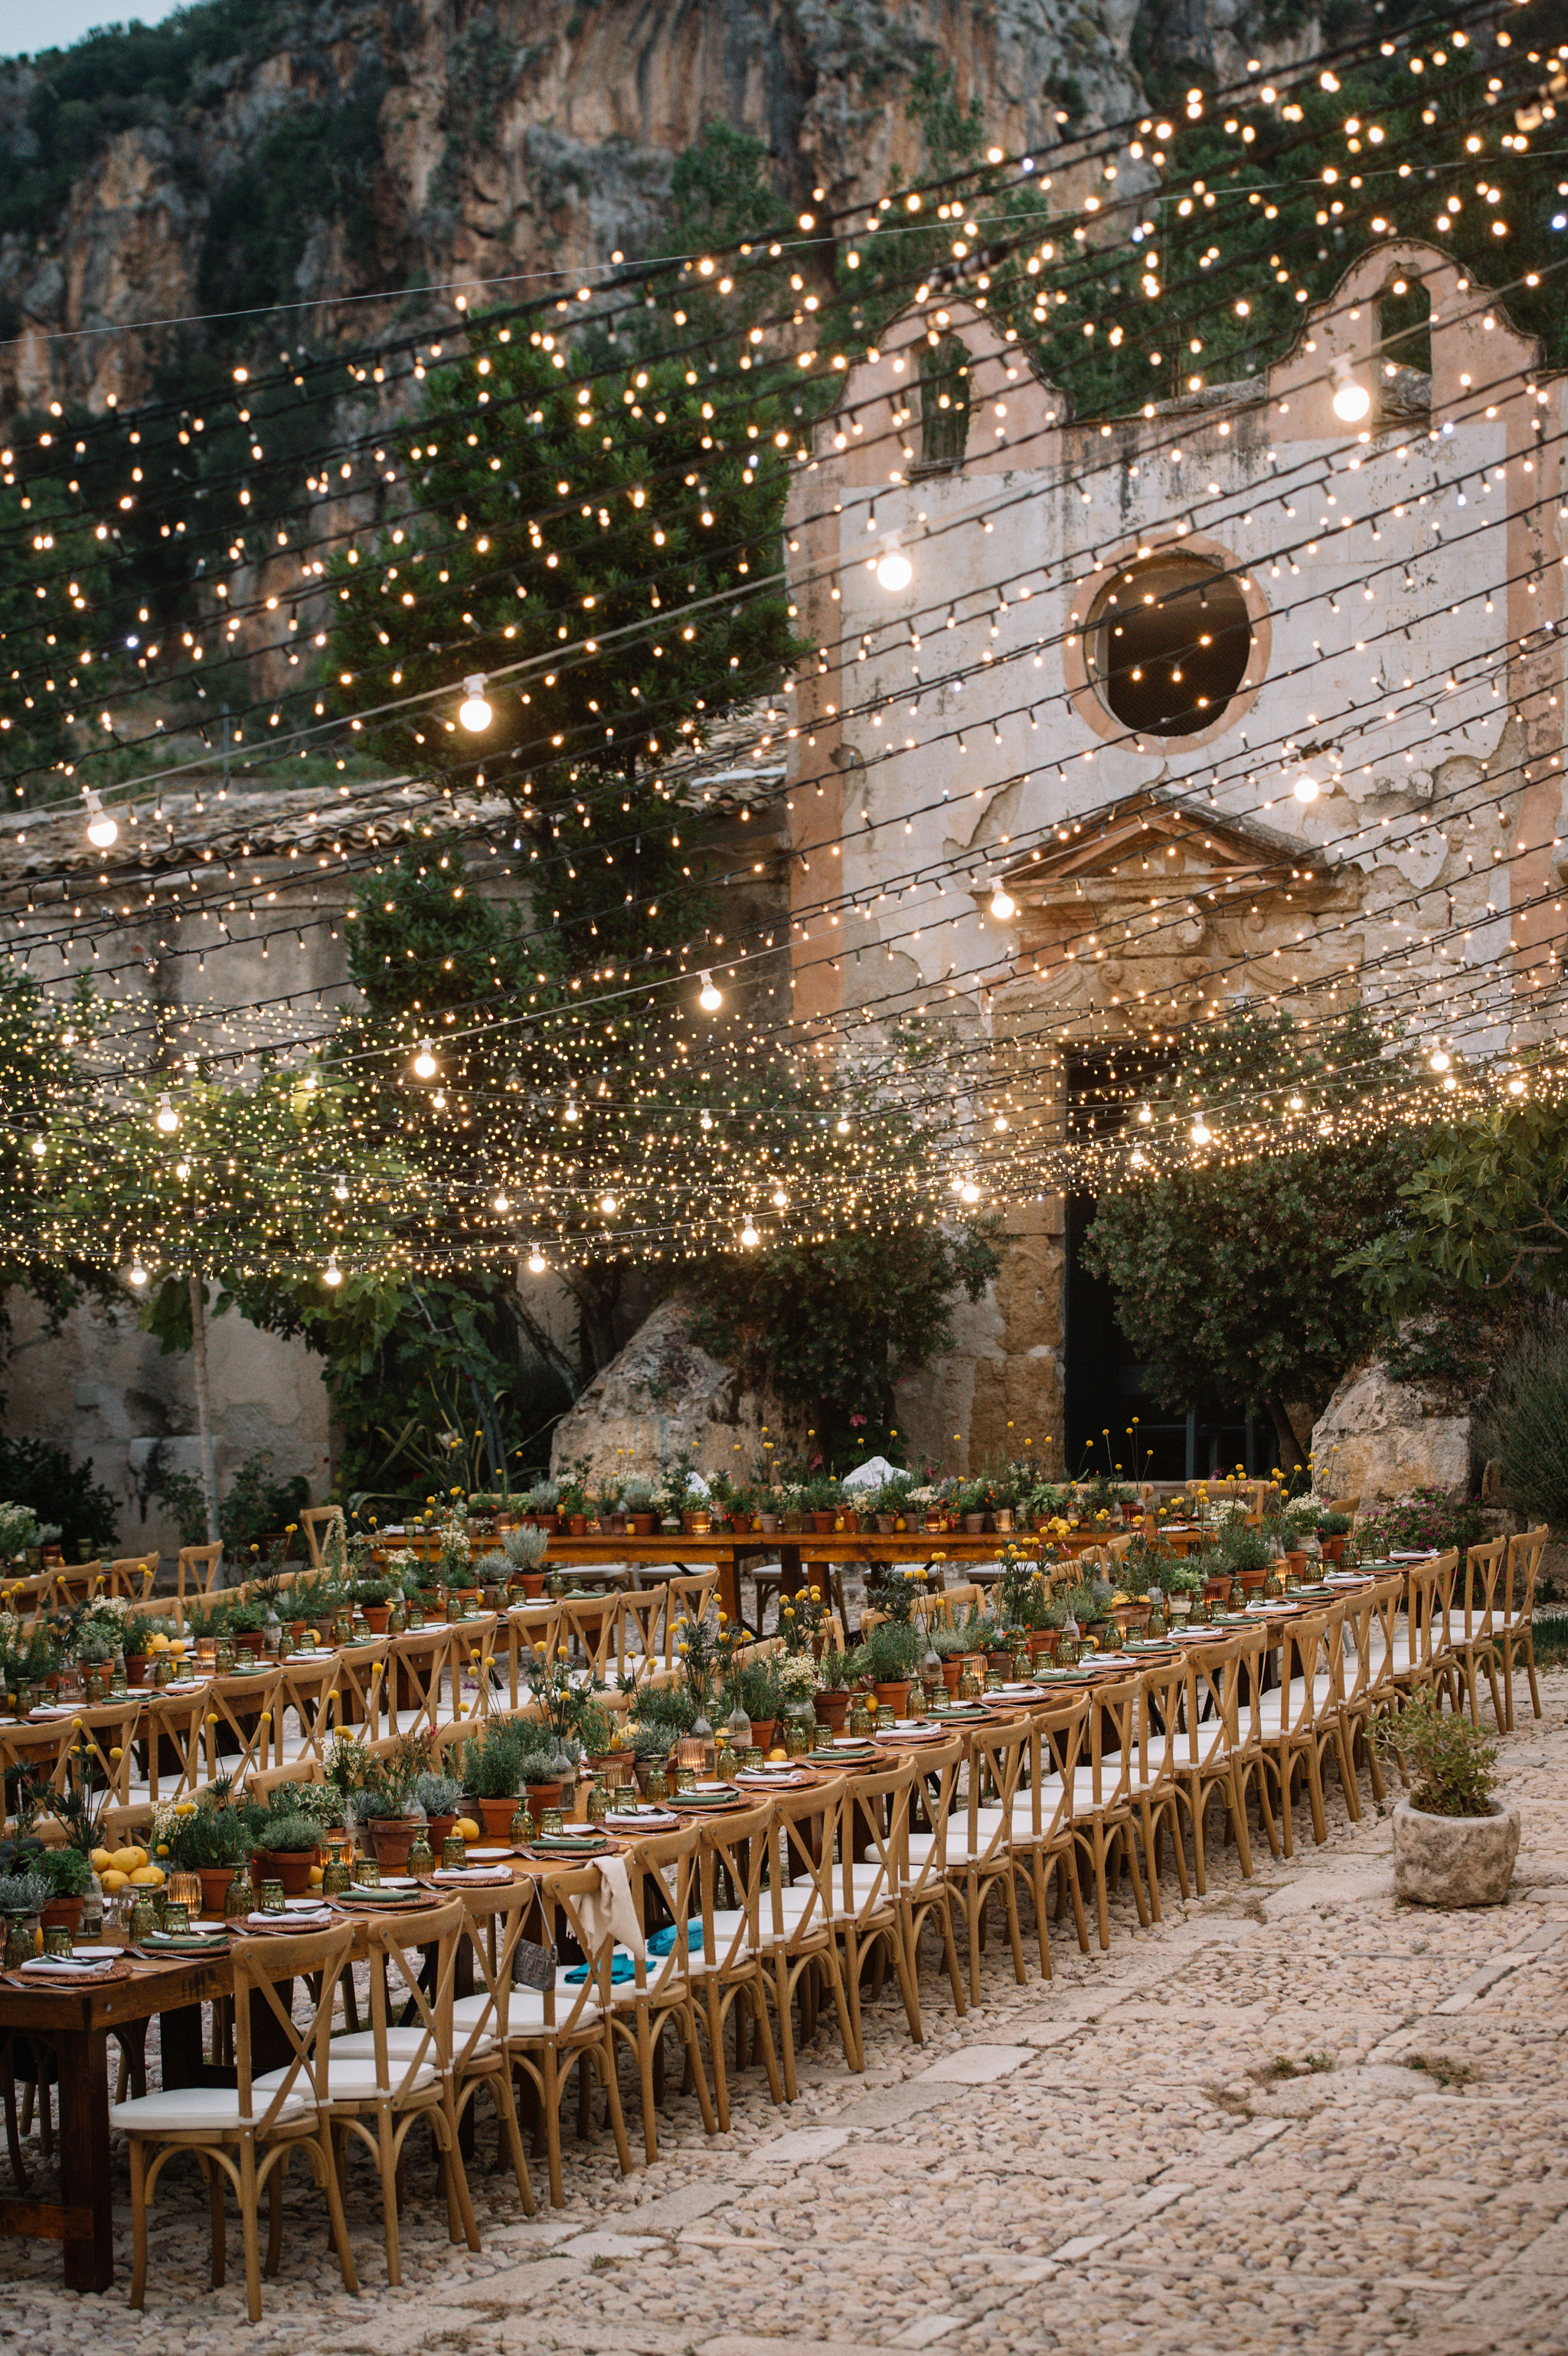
{"points": [[248, 2133]]}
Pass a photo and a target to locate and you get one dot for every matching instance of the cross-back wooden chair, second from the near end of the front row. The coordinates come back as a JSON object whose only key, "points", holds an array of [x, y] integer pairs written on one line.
{"points": [[401, 2067]]}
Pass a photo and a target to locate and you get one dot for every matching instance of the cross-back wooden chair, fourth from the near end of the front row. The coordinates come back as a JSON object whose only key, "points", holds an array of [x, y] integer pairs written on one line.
{"points": [[566, 2020]]}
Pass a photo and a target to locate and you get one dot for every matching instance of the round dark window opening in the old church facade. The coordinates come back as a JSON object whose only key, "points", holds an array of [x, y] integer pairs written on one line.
{"points": [[1169, 644]]}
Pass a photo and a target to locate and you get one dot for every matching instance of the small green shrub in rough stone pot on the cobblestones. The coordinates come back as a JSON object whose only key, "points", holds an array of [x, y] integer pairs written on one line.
{"points": [[1454, 1846]]}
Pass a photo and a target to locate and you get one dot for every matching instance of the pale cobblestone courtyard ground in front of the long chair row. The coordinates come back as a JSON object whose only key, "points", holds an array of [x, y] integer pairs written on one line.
{"points": [[1289, 2117]]}
